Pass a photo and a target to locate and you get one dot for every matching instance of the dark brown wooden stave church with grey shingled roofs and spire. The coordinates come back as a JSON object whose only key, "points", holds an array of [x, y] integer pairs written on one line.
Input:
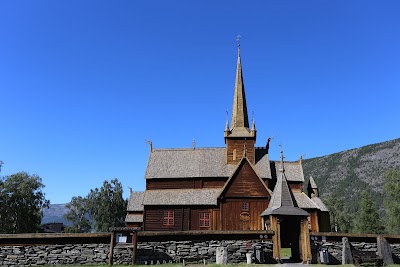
{"points": [[235, 187]]}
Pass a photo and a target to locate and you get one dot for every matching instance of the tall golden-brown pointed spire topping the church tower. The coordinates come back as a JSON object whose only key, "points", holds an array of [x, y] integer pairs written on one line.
{"points": [[239, 111]]}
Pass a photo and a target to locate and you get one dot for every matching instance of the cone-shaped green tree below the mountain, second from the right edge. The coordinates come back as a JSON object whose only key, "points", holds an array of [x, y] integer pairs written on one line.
{"points": [[368, 220]]}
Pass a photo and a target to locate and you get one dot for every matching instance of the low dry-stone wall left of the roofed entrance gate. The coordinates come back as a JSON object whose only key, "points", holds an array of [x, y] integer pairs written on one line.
{"points": [[148, 253]]}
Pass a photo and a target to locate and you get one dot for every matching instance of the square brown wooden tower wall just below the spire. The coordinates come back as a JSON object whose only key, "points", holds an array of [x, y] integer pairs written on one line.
{"points": [[238, 144]]}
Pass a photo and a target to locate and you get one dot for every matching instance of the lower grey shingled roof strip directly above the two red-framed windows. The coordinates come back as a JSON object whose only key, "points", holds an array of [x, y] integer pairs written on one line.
{"points": [[181, 197]]}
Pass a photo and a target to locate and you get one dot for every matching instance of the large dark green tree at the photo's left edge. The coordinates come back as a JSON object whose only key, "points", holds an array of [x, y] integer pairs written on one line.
{"points": [[21, 201]]}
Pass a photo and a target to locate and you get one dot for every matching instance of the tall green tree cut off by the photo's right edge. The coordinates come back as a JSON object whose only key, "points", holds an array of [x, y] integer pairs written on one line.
{"points": [[391, 188]]}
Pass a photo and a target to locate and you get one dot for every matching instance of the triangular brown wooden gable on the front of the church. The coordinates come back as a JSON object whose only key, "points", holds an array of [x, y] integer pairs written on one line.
{"points": [[245, 183]]}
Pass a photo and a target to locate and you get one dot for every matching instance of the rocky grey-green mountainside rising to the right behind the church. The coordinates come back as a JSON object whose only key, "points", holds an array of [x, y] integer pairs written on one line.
{"points": [[349, 172]]}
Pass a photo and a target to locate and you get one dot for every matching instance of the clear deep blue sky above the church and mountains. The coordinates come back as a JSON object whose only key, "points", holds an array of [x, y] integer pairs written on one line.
{"points": [[84, 83]]}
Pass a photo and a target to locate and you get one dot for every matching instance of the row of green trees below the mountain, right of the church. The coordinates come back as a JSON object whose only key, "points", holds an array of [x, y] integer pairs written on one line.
{"points": [[367, 218]]}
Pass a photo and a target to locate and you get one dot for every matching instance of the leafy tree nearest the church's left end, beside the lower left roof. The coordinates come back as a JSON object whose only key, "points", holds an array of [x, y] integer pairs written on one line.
{"points": [[106, 205]]}
